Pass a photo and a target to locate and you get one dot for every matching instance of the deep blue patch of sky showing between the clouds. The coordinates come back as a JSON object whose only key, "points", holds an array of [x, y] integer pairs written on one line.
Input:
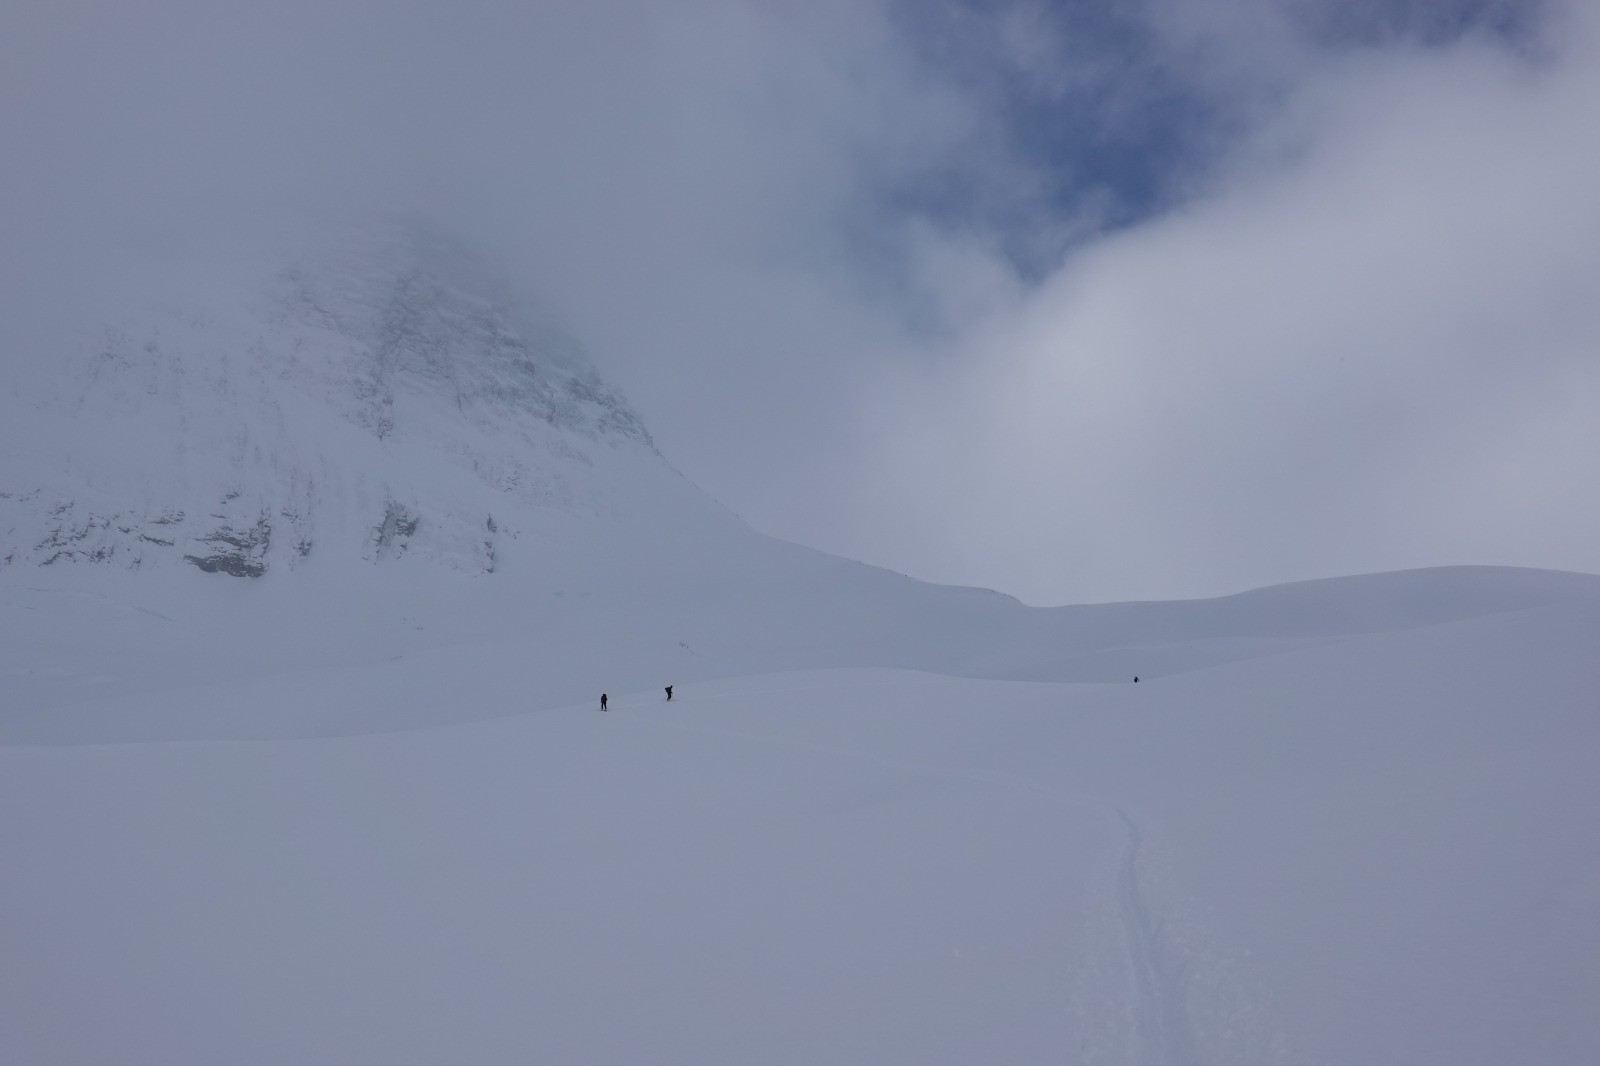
{"points": [[1097, 116]]}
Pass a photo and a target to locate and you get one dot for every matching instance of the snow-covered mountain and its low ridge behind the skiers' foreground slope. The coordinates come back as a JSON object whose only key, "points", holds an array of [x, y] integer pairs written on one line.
{"points": [[380, 447]]}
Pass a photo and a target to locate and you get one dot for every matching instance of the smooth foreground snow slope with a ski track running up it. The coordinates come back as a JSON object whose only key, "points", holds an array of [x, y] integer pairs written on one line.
{"points": [[1382, 851]]}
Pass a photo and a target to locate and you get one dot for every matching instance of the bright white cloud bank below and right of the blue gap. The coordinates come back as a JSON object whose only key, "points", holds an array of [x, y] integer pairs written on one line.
{"points": [[1374, 347]]}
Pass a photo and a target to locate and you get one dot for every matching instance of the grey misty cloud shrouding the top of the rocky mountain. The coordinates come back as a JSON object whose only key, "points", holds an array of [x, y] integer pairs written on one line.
{"points": [[697, 185]]}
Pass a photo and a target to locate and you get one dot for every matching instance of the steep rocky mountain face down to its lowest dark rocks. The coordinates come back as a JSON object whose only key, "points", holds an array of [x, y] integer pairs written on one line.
{"points": [[388, 398]]}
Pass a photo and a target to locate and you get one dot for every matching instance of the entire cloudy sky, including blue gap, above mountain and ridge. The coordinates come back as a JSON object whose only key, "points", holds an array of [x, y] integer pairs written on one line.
{"points": [[1084, 300]]}
